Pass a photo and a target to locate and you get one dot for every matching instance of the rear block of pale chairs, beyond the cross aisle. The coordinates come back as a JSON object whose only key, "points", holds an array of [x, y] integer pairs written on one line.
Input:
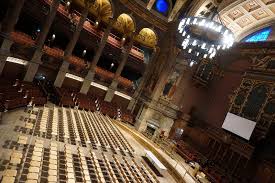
{"points": [[80, 127]]}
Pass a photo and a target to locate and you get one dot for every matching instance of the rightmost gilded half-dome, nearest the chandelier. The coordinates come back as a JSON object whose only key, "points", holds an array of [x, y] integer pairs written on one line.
{"points": [[147, 37]]}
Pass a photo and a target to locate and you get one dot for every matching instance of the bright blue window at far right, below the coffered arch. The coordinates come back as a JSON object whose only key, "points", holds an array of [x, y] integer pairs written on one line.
{"points": [[261, 35]]}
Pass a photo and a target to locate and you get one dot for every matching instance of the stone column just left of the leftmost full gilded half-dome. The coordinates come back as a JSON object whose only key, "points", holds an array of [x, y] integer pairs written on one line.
{"points": [[69, 49]]}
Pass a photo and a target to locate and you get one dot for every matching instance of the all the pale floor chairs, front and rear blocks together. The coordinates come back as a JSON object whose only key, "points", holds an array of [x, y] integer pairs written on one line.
{"points": [[44, 159]]}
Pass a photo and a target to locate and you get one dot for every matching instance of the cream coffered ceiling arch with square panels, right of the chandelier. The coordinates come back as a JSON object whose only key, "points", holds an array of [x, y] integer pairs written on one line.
{"points": [[248, 16]]}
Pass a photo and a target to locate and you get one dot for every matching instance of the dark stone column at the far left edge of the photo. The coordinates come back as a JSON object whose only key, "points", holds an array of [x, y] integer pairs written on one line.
{"points": [[8, 25]]}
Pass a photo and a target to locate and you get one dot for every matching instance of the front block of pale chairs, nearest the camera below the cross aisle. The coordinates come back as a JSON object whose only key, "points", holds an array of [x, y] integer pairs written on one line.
{"points": [[47, 162]]}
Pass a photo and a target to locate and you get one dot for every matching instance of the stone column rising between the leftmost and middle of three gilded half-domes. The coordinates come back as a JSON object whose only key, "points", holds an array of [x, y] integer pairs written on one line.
{"points": [[90, 76]]}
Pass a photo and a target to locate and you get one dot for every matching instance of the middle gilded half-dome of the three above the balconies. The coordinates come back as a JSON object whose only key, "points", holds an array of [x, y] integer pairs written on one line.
{"points": [[125, 24]]}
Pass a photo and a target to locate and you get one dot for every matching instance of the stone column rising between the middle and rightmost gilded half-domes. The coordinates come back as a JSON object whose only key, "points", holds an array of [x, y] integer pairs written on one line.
{"points": [[125, 54]]}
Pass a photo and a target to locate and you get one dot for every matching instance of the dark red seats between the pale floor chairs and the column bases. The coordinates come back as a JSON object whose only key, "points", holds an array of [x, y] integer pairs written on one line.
{"points": [[71, 98]]}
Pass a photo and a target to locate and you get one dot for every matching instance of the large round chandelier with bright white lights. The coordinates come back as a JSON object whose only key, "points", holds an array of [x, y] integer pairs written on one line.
{"points": [[203, 37]]}
